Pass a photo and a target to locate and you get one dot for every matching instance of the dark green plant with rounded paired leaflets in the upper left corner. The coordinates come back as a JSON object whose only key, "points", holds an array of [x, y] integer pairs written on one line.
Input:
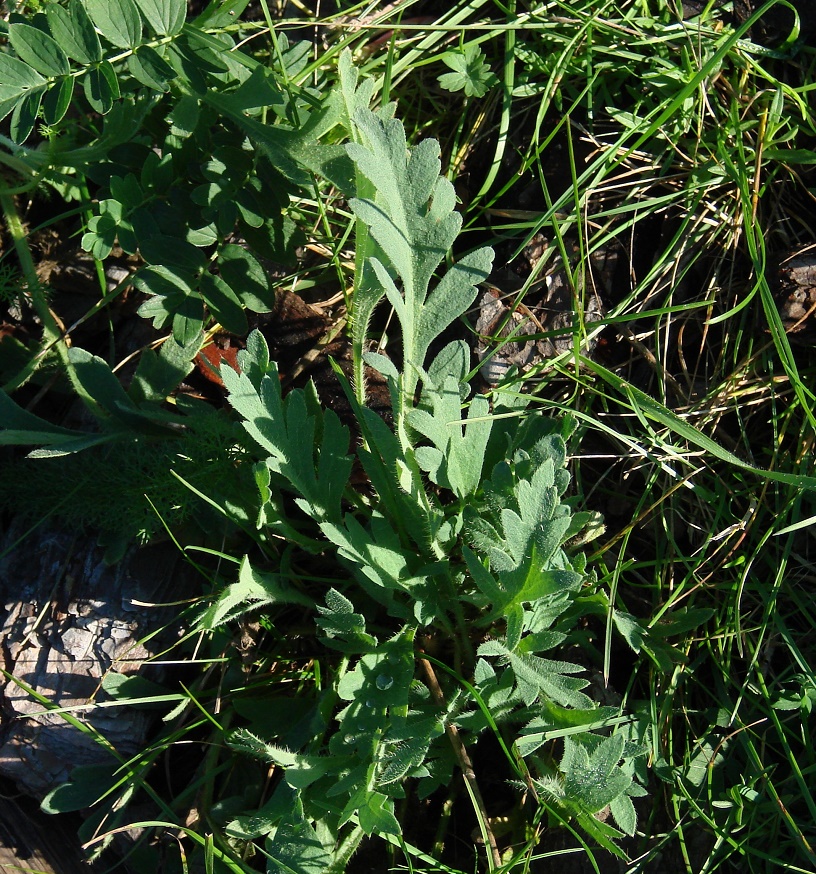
{"points": [[174, 178]]}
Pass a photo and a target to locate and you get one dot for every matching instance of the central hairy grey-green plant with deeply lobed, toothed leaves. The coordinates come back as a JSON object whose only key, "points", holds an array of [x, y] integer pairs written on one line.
{"points": [[463, 536]]}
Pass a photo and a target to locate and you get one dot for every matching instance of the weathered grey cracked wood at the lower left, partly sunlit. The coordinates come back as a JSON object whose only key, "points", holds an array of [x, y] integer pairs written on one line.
{"points": [[67, 619]]}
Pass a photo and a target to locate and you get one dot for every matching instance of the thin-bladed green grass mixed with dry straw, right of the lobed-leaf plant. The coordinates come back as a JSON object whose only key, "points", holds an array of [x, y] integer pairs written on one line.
{"points": [[682, 148]]}
